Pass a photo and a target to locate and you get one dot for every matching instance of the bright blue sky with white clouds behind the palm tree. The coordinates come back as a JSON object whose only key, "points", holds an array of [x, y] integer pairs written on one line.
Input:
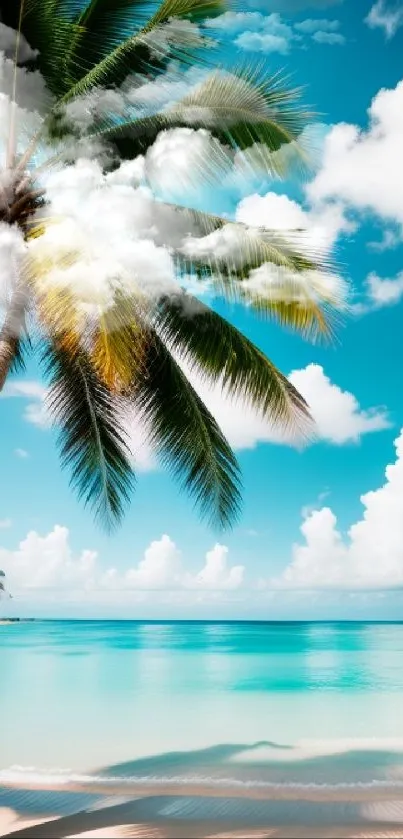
{"points": [[353, 385]]}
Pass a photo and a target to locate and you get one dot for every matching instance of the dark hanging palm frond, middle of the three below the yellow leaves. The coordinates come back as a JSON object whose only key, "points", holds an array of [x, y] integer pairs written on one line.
{"points": [[187, 437]]}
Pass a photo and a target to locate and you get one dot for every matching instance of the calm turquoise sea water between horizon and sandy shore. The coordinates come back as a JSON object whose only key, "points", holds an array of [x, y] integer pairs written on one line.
{"points": [[254, 703]]}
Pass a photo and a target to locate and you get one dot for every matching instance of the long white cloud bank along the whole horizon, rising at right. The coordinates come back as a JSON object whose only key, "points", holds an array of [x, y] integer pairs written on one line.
{"points": [[369, 559]]}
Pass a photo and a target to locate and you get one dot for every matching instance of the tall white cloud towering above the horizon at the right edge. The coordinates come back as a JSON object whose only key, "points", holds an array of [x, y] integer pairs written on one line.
{"points": [[369, 557]]}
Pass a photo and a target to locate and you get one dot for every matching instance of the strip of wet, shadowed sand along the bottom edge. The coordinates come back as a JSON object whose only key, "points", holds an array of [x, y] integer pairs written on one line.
{"points": [[200, 813]]}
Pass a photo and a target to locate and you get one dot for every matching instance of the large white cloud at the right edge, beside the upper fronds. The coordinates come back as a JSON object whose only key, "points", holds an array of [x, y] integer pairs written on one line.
{"points": [[362, 168]]}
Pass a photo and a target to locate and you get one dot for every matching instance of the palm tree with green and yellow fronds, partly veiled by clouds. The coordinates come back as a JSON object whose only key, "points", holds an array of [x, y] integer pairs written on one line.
{"points": [[131, 354]]}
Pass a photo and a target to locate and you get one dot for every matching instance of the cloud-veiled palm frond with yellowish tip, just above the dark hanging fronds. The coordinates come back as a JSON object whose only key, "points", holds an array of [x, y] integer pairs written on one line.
{"points": [[275, 272]]}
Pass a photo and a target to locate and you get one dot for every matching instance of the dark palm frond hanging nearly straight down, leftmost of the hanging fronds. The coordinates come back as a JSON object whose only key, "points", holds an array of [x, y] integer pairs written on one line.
{"points": [[91, 438]]}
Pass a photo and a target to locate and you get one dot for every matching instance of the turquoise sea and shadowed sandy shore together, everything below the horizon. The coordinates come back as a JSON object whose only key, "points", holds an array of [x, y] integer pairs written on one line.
{"points": [[213, 730]]}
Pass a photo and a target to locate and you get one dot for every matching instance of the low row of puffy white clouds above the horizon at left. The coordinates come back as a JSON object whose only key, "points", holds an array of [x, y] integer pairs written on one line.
{"points": [[48, 563]]}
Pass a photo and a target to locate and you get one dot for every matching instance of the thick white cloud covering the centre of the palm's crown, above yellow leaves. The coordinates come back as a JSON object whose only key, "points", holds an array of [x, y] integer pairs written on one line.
{"points": [[108, 224]]}
